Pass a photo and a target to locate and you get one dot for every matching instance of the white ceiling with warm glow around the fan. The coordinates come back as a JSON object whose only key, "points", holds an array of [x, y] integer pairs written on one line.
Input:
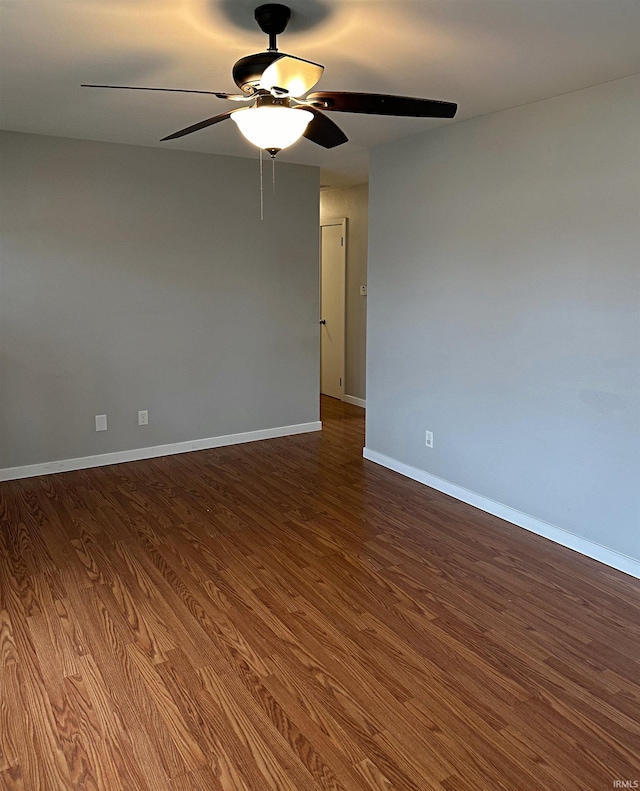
{"points": [[487, 55]]}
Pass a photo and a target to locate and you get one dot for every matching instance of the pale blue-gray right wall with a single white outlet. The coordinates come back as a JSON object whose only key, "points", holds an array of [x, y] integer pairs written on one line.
{"points": [[504, 309]]}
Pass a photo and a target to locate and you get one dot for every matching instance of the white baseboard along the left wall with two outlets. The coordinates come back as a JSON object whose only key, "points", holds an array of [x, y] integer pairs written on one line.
{"points": [[101, 460]]}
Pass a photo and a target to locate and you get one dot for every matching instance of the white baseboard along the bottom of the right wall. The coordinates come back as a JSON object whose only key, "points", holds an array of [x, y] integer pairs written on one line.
{"points": [[585, 547]]}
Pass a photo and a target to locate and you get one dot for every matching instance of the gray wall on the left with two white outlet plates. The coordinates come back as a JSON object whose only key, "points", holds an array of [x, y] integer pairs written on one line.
{"points": [[138, 278]]}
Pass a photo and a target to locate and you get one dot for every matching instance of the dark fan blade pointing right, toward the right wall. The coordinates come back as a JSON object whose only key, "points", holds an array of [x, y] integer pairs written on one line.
{"points": [[381, 104]]}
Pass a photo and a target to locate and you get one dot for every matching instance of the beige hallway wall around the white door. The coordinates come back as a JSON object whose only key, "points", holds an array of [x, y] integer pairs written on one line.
{"points": [[353, 203]]}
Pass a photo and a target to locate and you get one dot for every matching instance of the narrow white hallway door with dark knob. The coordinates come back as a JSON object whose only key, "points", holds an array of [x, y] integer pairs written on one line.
{"points": [[332, 307]]}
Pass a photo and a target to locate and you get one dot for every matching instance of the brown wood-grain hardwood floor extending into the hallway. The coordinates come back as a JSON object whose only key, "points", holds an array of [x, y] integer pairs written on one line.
{"points": [[286, 616]]}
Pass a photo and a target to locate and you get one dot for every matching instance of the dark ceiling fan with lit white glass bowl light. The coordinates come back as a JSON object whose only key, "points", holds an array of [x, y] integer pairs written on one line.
{"points": [[275, 85]]}
